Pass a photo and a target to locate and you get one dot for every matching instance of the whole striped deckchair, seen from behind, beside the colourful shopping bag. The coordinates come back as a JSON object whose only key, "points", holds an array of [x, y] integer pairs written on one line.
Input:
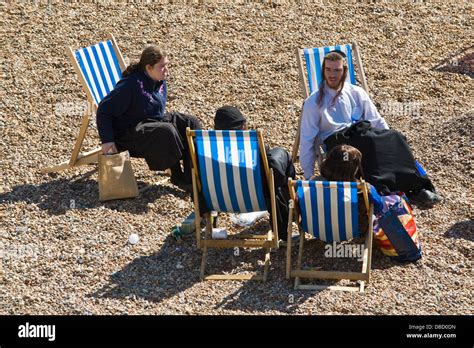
{"points": [[328, 211]]}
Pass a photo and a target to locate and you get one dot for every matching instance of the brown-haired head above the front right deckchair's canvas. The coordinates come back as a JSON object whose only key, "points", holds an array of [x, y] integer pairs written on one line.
{"points": [[343, 163]]}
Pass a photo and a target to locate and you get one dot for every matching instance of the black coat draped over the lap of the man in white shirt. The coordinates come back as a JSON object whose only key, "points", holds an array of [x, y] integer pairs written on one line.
{"points": [[387, 160]]}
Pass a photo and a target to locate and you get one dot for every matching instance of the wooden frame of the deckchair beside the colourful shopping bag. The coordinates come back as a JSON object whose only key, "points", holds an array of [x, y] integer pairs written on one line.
{"points": [[298, 273]]}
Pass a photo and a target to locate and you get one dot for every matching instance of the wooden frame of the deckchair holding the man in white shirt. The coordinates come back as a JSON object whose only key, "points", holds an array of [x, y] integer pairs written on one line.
{"points": [[305, 87]]}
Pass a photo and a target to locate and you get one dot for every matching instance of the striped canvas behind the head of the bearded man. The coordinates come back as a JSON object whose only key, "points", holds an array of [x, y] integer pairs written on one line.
{"points": [[314, 60]]}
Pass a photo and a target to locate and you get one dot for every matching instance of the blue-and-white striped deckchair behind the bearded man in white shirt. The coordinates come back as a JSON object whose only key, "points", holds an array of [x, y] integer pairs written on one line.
{"points": [[310, 62]]}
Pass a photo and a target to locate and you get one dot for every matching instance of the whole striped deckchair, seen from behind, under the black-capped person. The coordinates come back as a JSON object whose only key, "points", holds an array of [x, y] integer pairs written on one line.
{"points": [[229, 171]]}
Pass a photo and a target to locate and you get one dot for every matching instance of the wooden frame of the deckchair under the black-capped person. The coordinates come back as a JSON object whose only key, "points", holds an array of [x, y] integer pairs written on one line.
{"points": [[204, 242]]}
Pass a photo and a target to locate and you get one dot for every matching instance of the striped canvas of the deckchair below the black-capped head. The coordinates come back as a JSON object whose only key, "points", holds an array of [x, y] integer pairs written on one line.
{"points": [[230, 170]]}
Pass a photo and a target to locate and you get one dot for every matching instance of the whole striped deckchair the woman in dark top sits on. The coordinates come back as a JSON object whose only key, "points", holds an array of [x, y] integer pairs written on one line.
{"points": [[99, 68]]}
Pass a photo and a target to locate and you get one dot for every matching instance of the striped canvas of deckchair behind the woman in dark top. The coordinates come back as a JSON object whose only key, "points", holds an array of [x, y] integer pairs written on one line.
{"points": [[100, 68]]}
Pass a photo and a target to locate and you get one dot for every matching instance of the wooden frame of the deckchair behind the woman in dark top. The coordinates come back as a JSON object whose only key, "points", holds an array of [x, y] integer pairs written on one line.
{"points": [[78, 159]]}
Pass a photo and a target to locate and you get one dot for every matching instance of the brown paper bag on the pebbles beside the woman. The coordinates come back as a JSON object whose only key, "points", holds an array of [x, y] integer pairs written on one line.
{"points": [[116, 178]]}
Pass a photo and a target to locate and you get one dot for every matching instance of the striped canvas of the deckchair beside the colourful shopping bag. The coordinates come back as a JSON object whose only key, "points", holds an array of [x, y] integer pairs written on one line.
{"points": [[329, 210]]}
